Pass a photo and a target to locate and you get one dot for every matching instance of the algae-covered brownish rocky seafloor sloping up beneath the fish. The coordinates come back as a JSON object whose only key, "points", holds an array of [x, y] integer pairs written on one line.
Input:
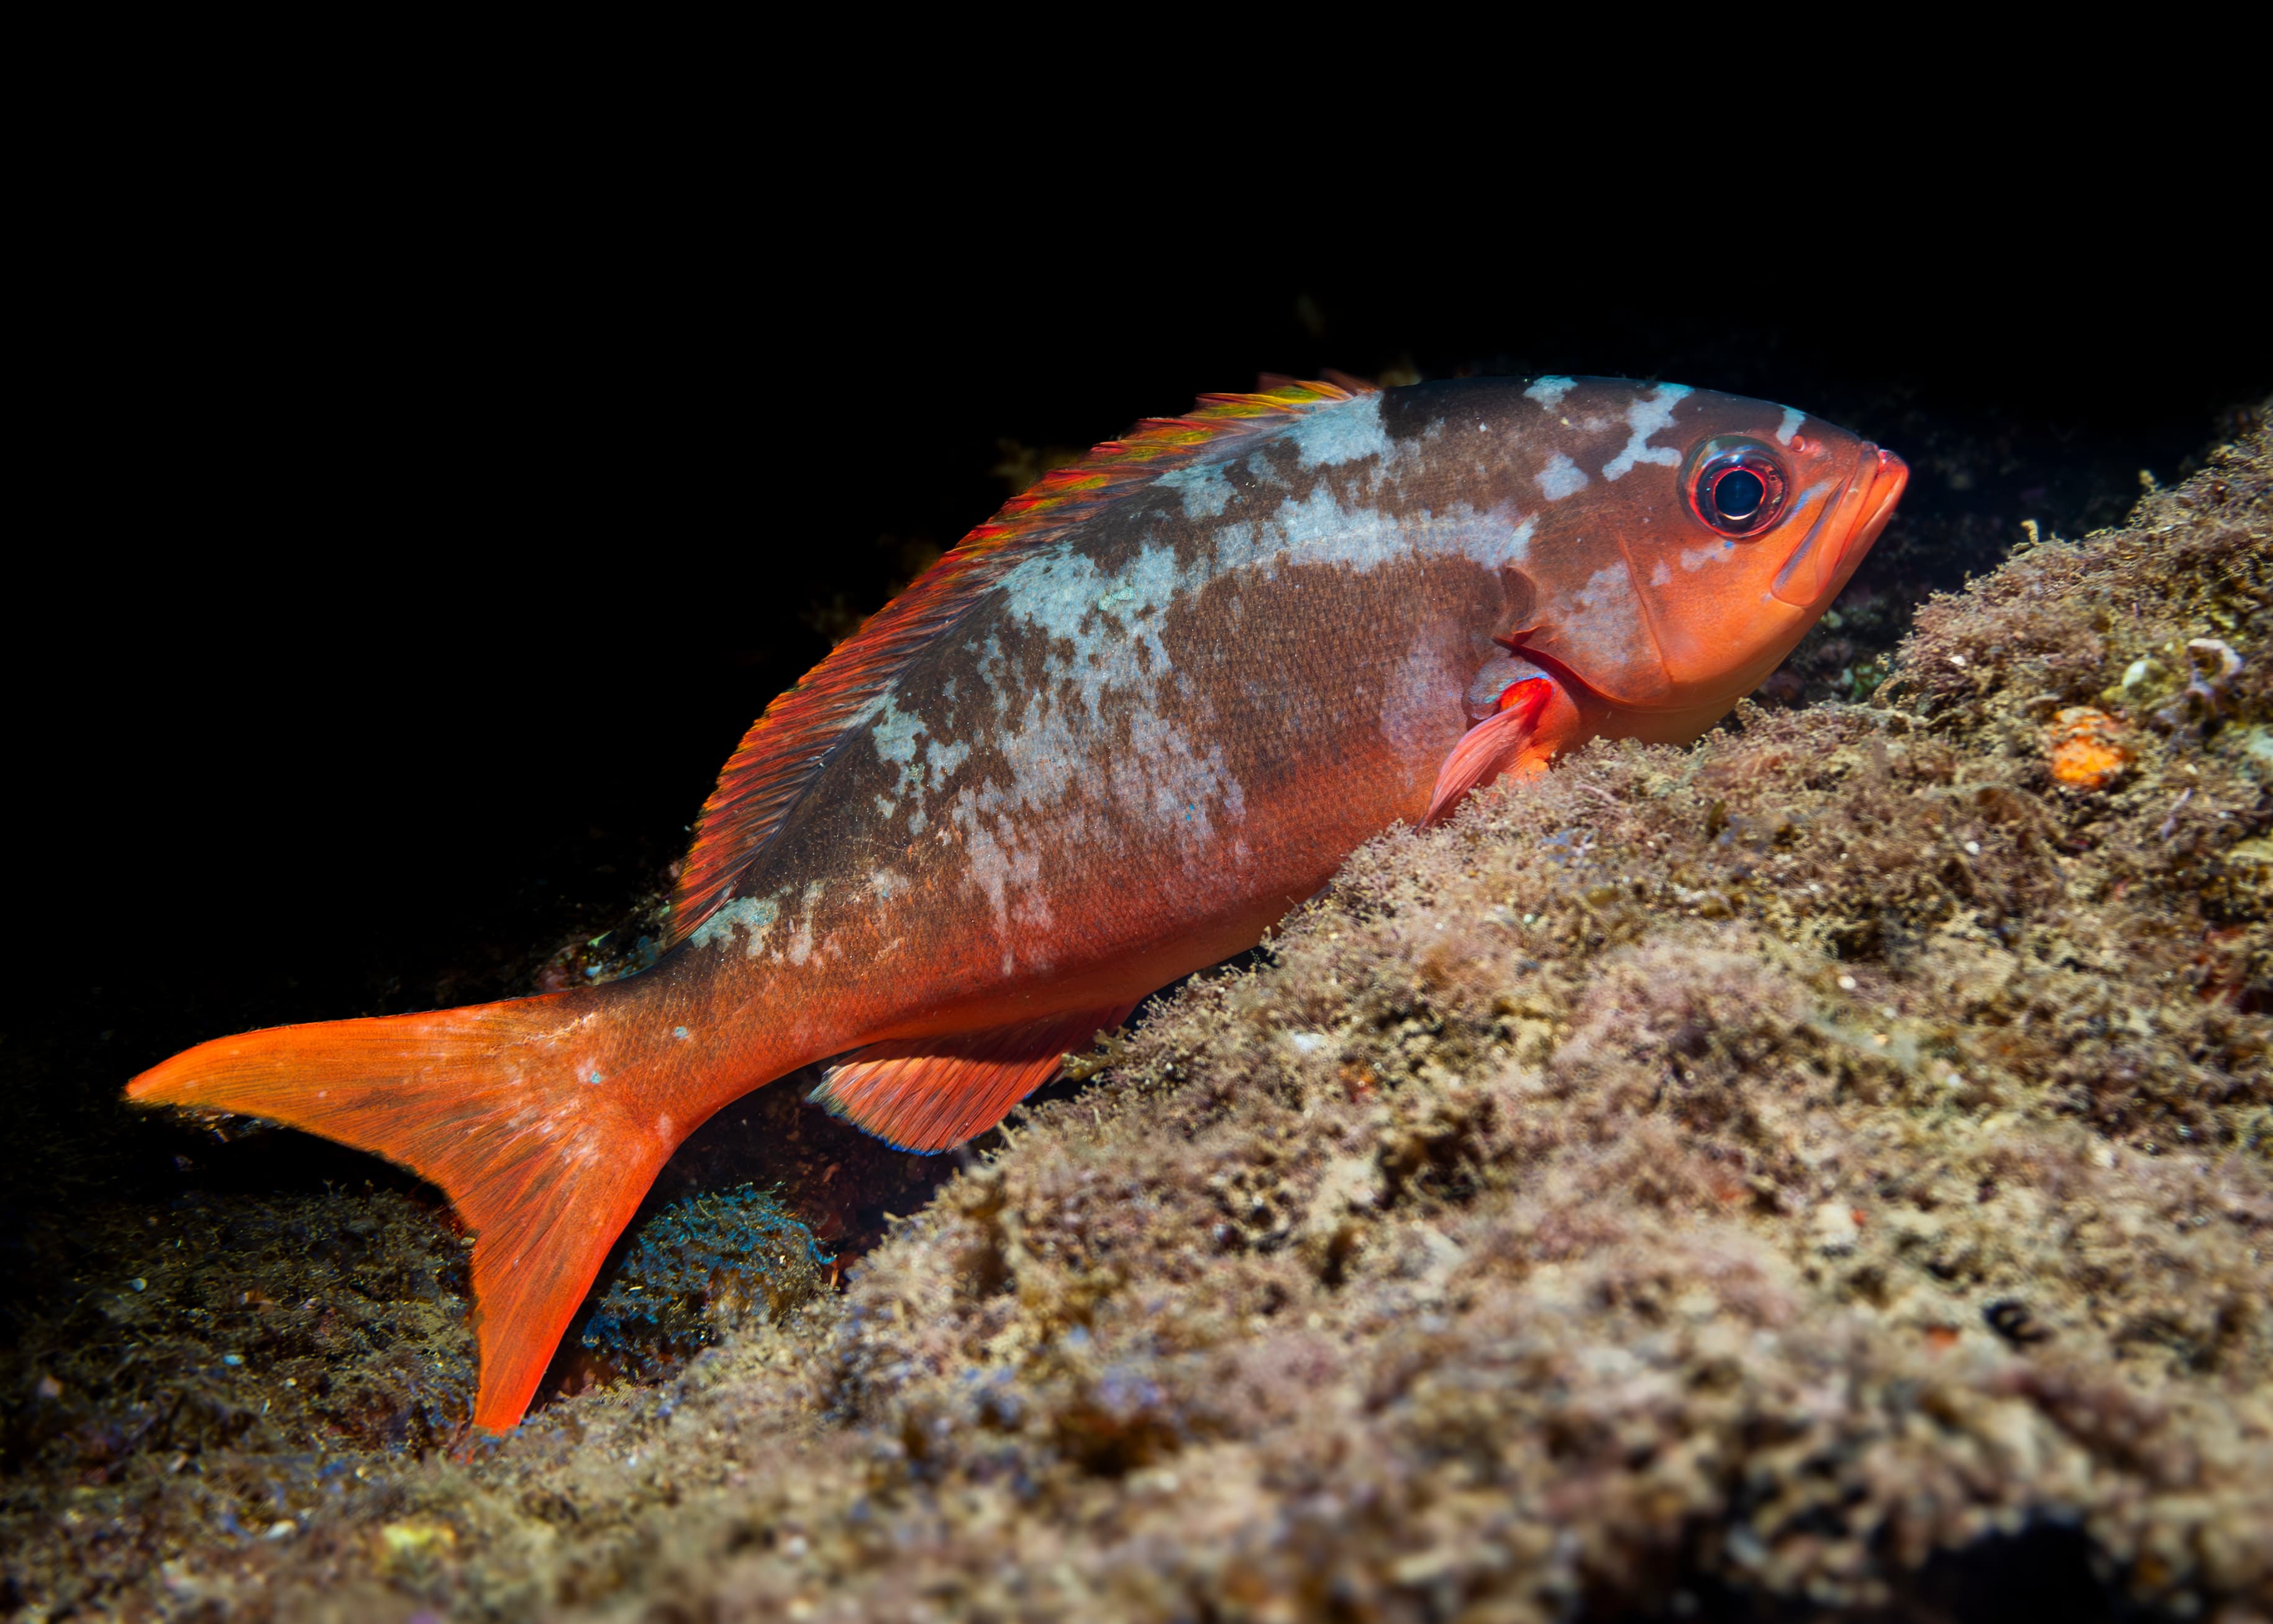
{"points": [[1826, 1173]]}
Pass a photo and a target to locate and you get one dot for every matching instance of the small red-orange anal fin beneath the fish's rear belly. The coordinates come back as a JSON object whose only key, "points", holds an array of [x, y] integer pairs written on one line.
{"points": [[935, 1093]]}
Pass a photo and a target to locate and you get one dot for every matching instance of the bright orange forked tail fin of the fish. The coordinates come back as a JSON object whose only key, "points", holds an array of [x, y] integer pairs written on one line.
{"points": [[519, 1111]]}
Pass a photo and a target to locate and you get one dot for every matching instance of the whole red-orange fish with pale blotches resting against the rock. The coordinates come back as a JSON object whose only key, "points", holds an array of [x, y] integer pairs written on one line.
{"points": [[1106, 743]]}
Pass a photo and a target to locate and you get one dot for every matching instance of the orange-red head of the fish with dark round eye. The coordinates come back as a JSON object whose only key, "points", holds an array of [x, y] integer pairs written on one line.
{"points": [[1685, 540]]}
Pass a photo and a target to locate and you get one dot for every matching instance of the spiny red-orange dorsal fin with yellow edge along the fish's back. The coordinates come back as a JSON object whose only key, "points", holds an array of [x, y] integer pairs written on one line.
{"points": [[790, 745]]}
